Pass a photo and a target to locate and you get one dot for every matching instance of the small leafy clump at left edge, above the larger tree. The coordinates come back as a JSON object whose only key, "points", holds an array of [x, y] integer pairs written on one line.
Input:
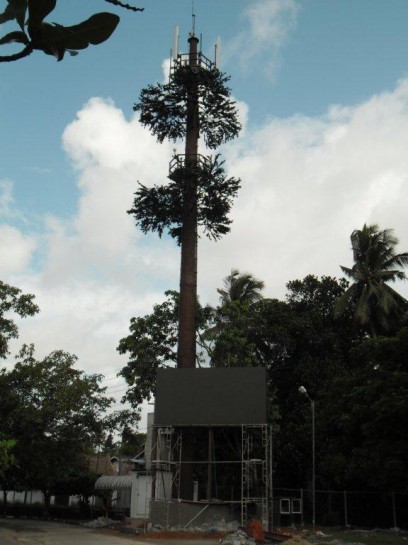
{"points": [[12, 300]]}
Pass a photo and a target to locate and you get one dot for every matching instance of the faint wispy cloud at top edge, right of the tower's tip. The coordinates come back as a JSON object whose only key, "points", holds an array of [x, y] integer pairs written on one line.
{"points": [[269, 25]]}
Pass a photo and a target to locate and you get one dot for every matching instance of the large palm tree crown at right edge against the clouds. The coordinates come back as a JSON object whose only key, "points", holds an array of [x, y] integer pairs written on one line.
{"points": [[378, 308]]}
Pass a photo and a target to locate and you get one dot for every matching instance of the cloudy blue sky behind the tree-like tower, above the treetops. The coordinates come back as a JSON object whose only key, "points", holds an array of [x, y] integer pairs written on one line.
{"points": [[322, 89]]}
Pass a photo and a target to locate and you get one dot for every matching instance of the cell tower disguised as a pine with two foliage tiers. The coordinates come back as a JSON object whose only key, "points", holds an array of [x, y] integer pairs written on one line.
{"points": [[195, 102]]}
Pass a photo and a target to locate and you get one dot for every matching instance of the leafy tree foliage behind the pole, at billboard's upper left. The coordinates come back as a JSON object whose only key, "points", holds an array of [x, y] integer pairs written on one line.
{"points": [[152, 344]]}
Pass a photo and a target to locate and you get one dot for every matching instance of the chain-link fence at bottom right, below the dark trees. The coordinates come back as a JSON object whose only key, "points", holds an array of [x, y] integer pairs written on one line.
{"points": [[341, 508]]}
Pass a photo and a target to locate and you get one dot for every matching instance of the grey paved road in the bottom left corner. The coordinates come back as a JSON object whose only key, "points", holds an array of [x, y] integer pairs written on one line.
{"points": [[36, 532]]}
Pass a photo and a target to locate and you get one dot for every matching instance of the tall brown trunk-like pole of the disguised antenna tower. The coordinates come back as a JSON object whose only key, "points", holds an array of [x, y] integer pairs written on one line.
{"points": [[186, 352]]}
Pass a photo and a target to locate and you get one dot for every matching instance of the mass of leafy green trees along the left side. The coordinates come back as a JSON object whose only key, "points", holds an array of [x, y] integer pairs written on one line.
{"points": [[52, 415]]}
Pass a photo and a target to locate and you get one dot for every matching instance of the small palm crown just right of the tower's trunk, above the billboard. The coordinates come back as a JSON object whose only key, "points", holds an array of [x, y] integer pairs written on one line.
{"points": [[242, 287]]}
